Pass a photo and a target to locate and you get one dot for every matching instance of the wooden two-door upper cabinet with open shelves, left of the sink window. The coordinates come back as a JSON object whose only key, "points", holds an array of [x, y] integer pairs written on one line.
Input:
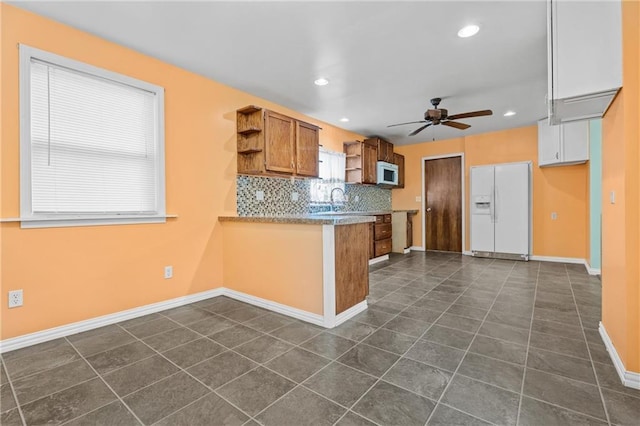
{"points": [[272, 143]]}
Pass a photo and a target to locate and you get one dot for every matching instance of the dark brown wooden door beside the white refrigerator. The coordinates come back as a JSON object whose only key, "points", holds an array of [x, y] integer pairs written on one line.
{"points": [[443, 204]]}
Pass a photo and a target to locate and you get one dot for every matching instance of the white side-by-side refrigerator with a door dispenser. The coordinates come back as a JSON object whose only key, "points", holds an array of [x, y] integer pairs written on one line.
{"points": [[501, 210]]}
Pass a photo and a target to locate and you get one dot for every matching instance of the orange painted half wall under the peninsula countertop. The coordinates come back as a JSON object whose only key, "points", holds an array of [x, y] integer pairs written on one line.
{"points": [[277, 262]]}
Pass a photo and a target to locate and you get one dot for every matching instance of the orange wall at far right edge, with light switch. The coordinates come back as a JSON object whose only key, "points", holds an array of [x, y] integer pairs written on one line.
{"points": [[620, 221]]}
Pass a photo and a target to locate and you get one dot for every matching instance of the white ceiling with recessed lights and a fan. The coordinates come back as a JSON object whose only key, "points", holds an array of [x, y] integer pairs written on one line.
{"points": [[384, 59]]}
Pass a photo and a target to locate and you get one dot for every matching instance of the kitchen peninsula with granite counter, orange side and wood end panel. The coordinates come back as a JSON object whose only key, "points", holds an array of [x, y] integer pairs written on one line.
{"points": [[314, 268]]}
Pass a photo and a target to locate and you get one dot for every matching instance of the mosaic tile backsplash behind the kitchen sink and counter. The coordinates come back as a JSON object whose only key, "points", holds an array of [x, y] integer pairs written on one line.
{"points": [[277, 197]]}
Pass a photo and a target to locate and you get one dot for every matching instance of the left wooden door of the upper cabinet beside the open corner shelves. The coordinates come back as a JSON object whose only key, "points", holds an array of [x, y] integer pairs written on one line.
{"points": [[279, 142]]}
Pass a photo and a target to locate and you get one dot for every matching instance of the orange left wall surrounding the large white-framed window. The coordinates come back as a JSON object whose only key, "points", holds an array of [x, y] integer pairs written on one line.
{"points": [[72, 274]]}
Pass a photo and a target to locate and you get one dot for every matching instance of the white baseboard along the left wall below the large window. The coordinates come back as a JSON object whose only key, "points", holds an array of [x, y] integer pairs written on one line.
{"points": [[90, 324]]}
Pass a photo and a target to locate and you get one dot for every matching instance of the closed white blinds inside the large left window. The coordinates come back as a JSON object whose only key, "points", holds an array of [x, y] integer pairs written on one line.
{"points": [[93, 144]]}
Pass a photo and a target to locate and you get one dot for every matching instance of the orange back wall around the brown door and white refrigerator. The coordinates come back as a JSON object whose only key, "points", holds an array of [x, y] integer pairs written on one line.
{"points": [[563, 190]]}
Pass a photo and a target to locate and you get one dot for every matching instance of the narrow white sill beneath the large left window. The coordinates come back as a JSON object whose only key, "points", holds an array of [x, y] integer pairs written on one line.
{"points": [[71, 220]]}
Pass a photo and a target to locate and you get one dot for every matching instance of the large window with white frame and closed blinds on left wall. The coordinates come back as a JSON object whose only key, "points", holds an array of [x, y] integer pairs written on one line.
{"points": [[91, 144]]}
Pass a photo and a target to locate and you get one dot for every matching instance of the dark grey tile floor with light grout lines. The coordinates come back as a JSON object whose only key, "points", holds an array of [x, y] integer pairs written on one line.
{"points": [[447, 339]]}
